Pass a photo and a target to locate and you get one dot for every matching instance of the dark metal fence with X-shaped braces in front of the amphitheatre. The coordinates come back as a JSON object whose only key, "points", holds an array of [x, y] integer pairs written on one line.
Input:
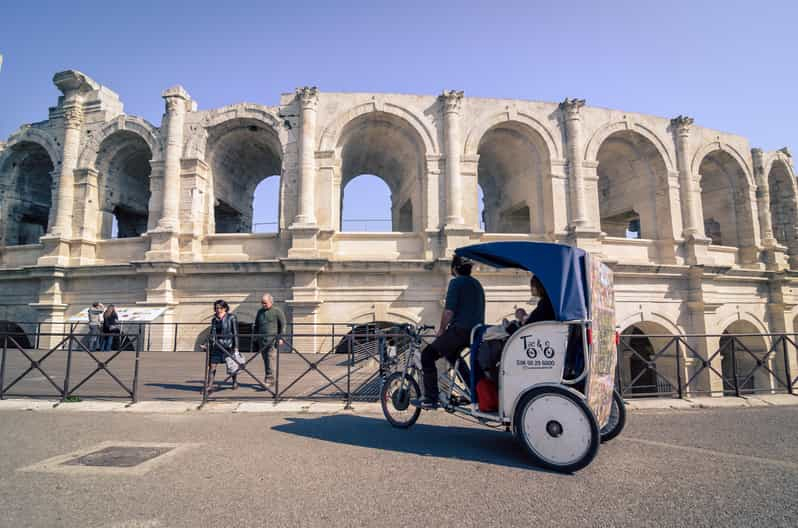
{"points": [[345, 361]]}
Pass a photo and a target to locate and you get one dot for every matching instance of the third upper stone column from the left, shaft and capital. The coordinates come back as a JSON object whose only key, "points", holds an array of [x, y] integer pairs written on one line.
{"points": [[308, 98]]}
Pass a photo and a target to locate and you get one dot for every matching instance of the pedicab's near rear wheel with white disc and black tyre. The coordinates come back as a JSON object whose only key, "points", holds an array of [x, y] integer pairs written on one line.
{"points": [[557, 428]]}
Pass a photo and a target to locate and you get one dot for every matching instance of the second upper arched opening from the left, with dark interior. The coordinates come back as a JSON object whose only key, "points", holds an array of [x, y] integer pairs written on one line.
{"points": [[123, 164]]}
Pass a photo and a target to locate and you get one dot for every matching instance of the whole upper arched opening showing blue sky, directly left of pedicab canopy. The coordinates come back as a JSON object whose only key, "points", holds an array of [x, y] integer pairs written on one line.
{"points": [[384, 146]]}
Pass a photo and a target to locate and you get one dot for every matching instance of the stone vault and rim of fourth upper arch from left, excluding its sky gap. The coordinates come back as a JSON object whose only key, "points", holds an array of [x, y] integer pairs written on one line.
{"points": [[388, 146]]}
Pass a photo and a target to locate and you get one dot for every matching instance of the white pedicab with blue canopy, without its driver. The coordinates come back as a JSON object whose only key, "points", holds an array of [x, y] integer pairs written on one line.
{"points": [[555, 378]]}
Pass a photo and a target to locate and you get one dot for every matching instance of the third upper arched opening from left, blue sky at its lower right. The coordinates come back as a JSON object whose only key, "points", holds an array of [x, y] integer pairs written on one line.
{"points": [[243, 153]]}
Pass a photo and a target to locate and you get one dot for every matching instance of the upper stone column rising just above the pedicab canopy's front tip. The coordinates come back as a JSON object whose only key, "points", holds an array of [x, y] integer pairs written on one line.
{"points": [[452, 103]]}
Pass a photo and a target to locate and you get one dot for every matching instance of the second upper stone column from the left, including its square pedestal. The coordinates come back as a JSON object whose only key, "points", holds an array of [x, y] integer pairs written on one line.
{"points": [[164, 243]]}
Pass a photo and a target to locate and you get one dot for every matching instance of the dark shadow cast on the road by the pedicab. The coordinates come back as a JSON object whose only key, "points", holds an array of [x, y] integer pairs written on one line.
{"points": [[459, 443]]}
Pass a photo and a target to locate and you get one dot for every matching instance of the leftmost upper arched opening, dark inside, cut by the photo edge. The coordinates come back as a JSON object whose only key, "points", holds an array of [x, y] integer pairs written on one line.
{"points": [[25, 194]]}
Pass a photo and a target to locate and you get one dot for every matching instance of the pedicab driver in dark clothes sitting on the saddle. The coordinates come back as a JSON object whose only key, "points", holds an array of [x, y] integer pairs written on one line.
{"points": [[464, 309]]}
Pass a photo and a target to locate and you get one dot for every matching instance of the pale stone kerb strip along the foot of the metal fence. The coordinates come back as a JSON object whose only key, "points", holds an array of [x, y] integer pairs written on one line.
{"points": [[323, 407]]}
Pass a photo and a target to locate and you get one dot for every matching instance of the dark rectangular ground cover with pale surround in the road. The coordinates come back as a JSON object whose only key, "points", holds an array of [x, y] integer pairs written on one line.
{"points": [[112, 458]]}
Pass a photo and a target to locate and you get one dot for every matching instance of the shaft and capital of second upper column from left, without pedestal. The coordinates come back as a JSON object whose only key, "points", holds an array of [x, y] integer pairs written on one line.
{"points": [[177, 101]]}
